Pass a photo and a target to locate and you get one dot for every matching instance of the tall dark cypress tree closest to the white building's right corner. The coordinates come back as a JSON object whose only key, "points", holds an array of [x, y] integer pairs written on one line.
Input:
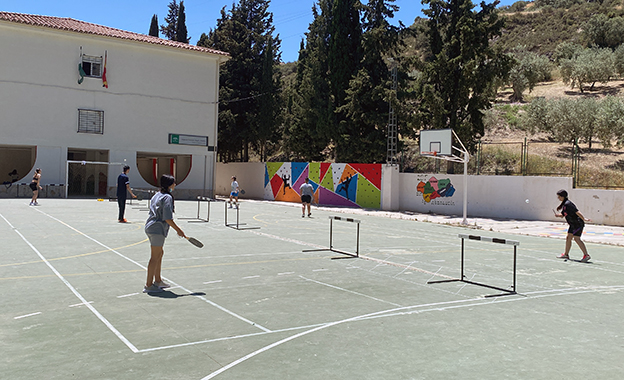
{"points": [[248, 84]]}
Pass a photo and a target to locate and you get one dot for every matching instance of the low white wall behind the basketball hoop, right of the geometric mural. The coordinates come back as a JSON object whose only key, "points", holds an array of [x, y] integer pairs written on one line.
{"points": [[506, 197]]}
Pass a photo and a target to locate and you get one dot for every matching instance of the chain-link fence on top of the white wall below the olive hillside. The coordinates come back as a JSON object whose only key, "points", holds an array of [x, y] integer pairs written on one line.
{"points": [[589, 168]]}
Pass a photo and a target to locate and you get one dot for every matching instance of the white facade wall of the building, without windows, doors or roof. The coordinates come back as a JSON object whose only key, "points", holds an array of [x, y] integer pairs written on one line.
{"points": [[153, 91]]}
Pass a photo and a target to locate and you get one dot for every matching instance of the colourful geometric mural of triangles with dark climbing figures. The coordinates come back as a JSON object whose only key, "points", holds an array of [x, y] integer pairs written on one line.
{"points": [[350, 185]]}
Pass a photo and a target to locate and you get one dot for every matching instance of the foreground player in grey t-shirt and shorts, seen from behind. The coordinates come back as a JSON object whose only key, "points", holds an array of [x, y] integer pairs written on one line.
{"points": [[157, 227]]}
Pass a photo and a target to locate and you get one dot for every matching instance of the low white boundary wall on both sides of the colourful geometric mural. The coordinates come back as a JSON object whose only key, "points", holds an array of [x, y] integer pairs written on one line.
{"points": [[503, 197]]}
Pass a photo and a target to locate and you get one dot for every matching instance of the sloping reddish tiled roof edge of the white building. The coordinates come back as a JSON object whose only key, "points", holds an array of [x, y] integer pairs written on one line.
{"points": [[69, 24]]}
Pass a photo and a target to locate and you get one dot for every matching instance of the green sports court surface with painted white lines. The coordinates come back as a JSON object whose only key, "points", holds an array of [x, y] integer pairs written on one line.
{"points": [[252, 305]]}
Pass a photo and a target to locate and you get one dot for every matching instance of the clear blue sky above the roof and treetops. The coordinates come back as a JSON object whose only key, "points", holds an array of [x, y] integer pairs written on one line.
{"points": [[290, 17]]}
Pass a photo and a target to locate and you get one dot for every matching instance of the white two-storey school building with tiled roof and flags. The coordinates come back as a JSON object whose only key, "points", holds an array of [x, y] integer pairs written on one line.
{"points": [[156, 112]]}
